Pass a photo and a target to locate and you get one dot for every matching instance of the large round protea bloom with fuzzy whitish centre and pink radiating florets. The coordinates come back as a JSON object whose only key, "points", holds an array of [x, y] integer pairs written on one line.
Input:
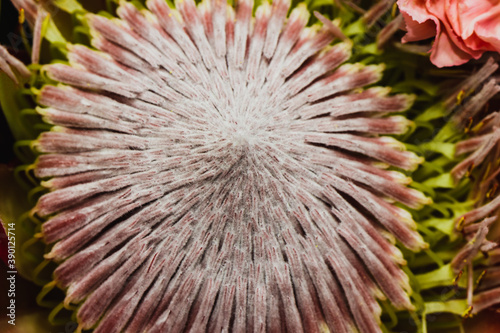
{"points": [[216, 170]]}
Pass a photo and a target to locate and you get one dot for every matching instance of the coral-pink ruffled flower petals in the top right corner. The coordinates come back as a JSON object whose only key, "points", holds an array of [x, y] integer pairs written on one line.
{"points": [[464, 29]]}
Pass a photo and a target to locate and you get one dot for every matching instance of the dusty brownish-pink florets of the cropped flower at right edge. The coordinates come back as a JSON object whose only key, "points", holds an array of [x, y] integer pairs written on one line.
{"points": [[482, 150]]}
